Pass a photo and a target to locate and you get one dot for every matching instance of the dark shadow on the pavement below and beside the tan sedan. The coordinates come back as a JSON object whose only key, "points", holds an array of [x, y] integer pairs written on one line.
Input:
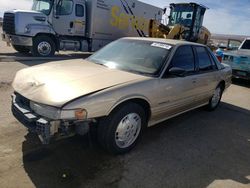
{"points": [[193, 150]]}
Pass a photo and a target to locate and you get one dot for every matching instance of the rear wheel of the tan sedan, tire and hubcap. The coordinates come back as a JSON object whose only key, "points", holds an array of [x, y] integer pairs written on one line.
{"points": [[216, 98]]}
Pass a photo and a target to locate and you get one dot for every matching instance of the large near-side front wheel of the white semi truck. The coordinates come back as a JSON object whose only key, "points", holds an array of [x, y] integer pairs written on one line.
{"points": [[43, 46]]}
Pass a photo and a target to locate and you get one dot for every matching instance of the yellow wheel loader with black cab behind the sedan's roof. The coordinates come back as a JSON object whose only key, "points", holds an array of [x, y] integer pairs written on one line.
{"points": [[184, 23]]}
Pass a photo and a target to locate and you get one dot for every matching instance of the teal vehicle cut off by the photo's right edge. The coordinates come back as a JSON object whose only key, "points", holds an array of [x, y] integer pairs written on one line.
{"points": [[239, 60]]}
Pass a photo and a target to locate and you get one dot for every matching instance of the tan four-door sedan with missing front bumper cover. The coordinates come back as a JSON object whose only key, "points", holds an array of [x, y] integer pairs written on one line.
{"points": [[125, 87]]}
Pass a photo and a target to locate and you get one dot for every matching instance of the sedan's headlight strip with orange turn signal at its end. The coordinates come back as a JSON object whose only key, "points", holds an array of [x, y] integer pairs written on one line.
{"points": [[55, 113]]}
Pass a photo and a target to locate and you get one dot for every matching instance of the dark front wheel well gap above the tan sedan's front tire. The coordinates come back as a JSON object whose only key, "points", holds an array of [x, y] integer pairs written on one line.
{"points": [[143, 103]]}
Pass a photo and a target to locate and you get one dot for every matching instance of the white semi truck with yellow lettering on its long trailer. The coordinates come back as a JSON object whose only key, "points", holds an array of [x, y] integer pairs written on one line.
{"points": [[78, 25]]}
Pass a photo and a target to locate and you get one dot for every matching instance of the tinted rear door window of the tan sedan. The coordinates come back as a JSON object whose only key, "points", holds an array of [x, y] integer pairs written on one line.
{"points": [[205, 63]]}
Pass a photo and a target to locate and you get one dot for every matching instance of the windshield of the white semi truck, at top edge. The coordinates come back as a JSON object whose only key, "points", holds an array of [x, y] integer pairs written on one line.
{"points": [[43, 6]]}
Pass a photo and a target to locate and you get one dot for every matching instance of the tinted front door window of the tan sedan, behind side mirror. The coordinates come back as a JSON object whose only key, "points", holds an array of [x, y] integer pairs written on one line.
{"points": [[184, 58]]}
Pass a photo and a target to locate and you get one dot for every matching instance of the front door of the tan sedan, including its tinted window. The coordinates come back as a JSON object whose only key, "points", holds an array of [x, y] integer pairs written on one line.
{"points": [[177, 94]]}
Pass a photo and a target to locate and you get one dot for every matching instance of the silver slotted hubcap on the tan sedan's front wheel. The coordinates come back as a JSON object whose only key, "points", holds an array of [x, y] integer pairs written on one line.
{"points": [[128, 130]]}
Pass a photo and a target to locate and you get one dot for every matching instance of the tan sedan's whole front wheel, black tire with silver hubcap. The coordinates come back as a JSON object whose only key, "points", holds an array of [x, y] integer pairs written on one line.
{"points": [[116, 134]]}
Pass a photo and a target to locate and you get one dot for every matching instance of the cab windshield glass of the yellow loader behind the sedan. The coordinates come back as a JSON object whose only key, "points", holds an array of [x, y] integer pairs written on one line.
{"points": [[181, 14]]}
